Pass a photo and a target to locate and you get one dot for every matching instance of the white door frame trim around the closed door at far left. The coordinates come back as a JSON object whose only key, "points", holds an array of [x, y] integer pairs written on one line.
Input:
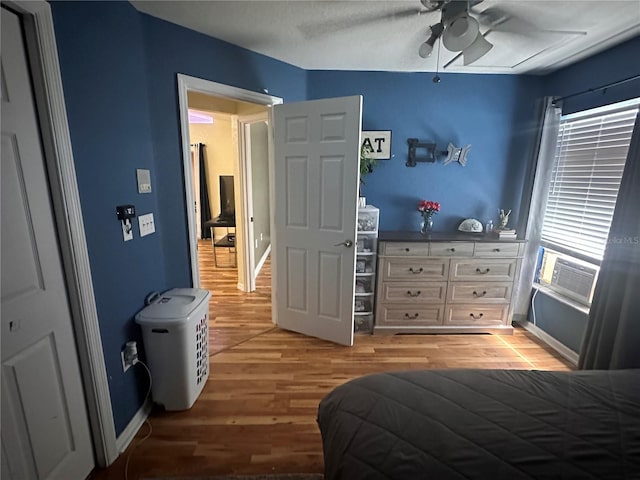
{"points": [[52, 117]]}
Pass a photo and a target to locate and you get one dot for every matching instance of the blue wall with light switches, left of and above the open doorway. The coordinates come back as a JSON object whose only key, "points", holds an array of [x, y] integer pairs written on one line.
{"points": [[119, 76]]}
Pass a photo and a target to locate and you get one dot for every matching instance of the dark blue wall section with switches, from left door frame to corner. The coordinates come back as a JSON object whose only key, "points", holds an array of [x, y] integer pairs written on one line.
{"points": [[102, 58]]}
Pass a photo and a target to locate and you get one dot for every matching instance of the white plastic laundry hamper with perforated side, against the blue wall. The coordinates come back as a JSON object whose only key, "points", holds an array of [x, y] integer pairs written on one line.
{"points": [[175, 332]]}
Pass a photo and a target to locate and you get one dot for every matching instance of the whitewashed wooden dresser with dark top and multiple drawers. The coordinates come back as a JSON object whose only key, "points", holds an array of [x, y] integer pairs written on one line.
{"points": [[445, 283]]}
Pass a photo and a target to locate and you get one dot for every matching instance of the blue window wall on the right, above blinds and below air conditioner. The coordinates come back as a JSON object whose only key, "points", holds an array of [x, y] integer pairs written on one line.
{"points": [[562, 322]]}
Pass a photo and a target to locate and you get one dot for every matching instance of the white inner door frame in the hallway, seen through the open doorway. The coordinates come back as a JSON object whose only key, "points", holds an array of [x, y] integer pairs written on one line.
{"points": [[246, 180]]}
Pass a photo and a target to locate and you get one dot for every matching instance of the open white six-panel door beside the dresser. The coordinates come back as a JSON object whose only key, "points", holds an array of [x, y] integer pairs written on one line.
{"points": [[316, 174]]}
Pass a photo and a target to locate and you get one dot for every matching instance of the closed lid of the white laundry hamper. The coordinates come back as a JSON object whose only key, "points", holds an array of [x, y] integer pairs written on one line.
{"points": [[173, 306]]}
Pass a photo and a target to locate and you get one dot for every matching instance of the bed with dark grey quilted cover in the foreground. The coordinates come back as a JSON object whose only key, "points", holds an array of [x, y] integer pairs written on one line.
{"points": [[483, 424]]}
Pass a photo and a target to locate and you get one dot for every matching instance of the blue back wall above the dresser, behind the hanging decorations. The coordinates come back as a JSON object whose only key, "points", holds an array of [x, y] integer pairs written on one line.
{"points": [[493, 113]]}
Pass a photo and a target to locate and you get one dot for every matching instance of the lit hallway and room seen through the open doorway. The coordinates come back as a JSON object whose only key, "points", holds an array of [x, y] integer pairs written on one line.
{"points": [[230, 183]]}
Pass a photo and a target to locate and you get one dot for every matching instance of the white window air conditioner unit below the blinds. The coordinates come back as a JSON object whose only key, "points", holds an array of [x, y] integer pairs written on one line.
{"points": [[568, 277]]}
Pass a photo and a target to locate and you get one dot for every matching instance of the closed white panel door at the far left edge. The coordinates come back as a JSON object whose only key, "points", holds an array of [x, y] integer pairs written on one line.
{"points": [[45, 429]]}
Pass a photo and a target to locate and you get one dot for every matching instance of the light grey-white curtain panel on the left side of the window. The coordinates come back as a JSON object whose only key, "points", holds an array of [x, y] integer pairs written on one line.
{"points": [[534, 199]]}
